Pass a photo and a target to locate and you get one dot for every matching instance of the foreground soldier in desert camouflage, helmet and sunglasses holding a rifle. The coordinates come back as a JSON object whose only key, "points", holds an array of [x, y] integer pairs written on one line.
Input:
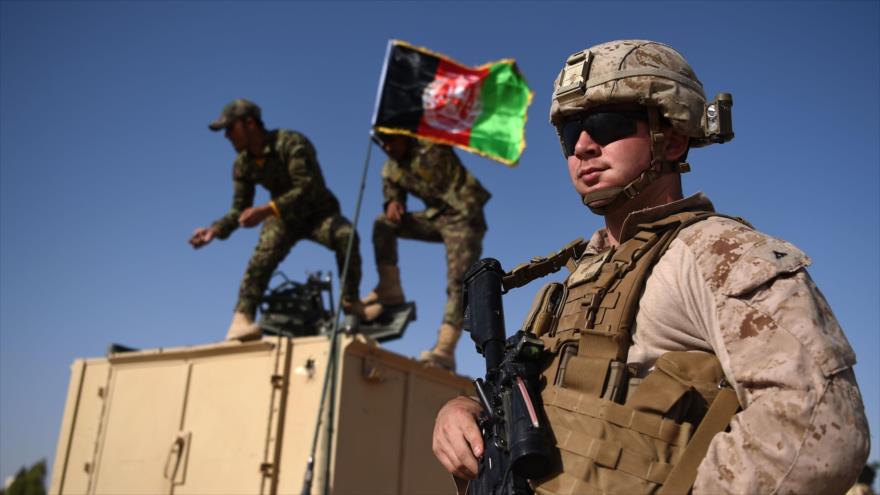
{"points": [[672, 307]]}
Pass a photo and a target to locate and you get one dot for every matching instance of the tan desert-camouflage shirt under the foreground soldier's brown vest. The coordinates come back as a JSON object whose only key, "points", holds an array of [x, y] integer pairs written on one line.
{"points": [[724, 288]]}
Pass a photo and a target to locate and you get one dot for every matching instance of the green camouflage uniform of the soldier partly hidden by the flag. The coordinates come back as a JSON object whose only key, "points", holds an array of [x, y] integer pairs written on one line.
{"points": [[454, 202]]}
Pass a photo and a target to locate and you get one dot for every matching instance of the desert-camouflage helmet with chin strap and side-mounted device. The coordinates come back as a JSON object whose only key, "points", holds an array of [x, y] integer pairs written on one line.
{"points": [[647, 74]]}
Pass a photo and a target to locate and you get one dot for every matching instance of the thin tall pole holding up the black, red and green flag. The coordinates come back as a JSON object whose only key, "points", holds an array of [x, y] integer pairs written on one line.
{"points": [[328, 389]]}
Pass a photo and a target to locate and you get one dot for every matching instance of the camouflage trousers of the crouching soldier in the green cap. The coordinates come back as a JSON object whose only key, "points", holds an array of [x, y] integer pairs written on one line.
{"points": [[277, 239]]}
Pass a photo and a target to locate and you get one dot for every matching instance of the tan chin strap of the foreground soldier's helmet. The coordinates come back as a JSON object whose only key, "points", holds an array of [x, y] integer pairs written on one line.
{"points": [[658, 166]]}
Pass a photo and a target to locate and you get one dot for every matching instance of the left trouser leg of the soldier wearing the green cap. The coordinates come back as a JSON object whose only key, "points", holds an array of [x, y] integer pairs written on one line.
{"points": [[276, 240]]}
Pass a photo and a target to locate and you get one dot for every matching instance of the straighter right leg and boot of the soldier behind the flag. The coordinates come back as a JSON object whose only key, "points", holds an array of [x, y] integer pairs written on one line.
{"points": [[464, 244]]}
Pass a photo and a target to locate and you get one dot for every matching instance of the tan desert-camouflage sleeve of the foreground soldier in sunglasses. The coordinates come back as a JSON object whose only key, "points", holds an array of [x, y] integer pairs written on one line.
{"points": [[802, 428]]}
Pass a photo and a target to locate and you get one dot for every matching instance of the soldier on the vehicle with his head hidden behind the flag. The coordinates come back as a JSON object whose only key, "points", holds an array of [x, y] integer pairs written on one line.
{"points": [[454, 202]]}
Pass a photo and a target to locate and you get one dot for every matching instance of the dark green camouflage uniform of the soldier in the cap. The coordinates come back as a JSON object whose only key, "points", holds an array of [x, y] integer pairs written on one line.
{"points": [[304, 209]]}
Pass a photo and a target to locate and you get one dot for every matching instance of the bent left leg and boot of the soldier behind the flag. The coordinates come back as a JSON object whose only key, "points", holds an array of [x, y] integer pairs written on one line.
{"points": [[385, 234]]}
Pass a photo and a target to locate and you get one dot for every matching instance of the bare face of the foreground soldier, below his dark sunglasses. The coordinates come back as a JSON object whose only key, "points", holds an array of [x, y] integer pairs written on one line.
{"points": [[594, 166]]}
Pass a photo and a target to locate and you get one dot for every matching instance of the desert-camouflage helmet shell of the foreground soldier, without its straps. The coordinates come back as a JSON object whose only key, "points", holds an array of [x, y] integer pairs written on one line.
{"points": [[627, 72]]}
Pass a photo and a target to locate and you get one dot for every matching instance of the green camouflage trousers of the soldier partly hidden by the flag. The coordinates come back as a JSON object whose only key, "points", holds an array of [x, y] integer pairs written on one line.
{"points": [[463, 239]]}
